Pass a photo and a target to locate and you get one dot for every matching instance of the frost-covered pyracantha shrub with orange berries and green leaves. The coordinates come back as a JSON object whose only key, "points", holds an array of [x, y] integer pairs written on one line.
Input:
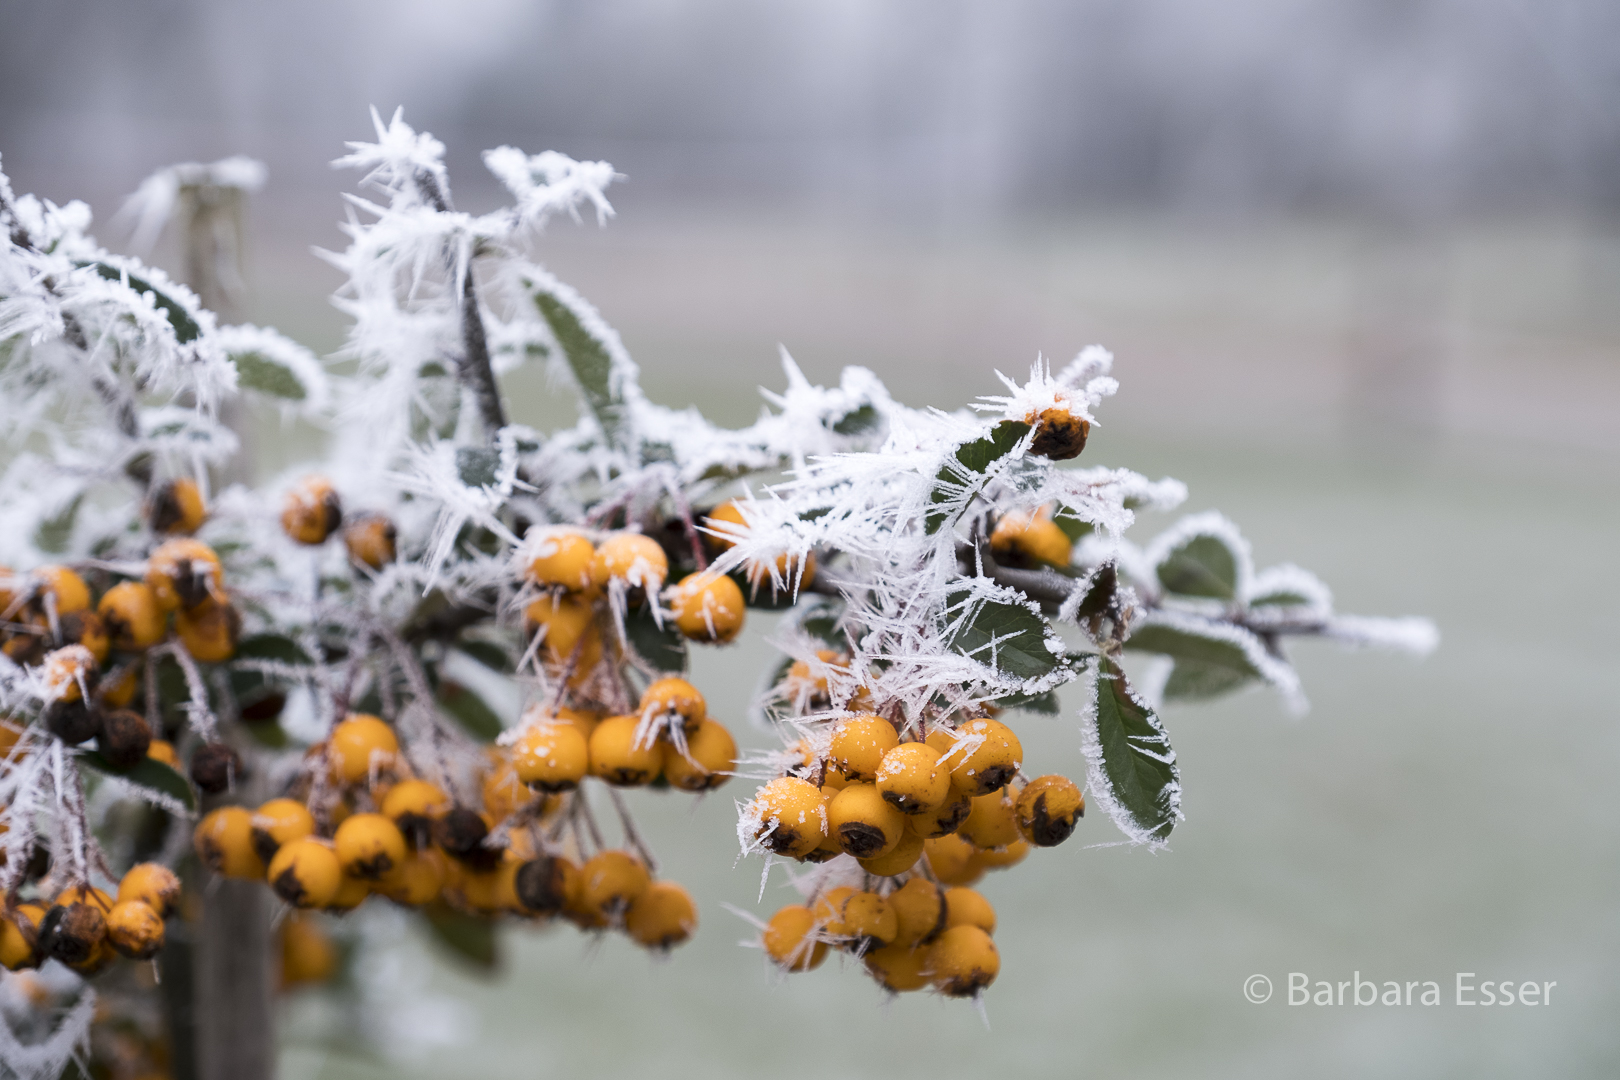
{"points": [[323, 639]]}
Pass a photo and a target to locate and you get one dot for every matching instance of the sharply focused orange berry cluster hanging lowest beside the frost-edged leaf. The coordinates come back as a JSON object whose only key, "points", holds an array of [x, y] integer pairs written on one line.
{"points": [[923, 815]]}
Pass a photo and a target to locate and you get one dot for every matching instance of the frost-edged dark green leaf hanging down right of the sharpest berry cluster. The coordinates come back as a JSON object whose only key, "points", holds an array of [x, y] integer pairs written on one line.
{"points": [[1133, 759]]}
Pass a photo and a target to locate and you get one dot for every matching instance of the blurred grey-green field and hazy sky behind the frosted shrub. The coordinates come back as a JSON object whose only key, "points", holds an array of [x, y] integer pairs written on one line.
{"points": [[1358, 265]]}
